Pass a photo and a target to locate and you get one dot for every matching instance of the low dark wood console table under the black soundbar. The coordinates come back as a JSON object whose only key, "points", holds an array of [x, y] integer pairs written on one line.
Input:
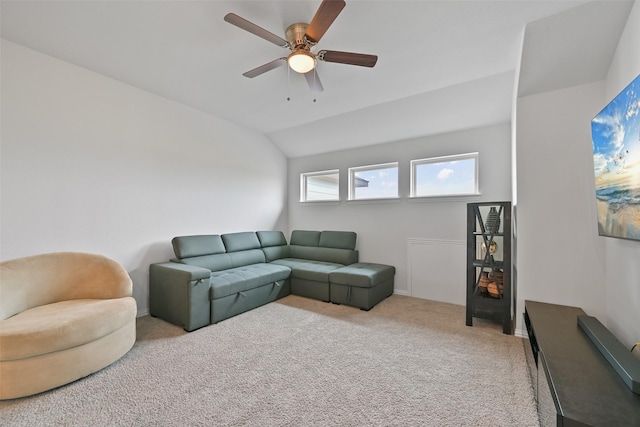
{"points": [[574, 384]]}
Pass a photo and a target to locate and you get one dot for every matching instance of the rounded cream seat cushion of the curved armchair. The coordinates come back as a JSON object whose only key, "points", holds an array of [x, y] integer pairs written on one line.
{"points": [[62, 325]]}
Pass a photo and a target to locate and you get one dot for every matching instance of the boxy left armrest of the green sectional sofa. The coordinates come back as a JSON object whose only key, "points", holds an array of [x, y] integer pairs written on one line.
{"points": [[179, 293]]}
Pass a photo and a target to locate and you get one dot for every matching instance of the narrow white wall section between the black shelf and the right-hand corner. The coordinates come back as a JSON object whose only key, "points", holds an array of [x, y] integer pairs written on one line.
{"points": [[560, 256]]}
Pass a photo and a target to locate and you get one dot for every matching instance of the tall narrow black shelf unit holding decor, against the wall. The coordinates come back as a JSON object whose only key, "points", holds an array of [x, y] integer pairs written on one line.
{"points": [[489, 288]]}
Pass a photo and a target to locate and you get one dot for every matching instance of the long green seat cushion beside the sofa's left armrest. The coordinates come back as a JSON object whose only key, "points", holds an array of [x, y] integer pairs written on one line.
{"points": [[239, 279]]}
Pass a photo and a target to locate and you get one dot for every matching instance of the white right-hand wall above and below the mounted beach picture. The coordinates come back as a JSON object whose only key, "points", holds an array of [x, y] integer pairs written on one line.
{"points": [[622, 281]]}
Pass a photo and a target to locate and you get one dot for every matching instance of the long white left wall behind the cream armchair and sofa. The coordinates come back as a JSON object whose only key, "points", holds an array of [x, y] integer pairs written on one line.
{"points": [[91, 164]]}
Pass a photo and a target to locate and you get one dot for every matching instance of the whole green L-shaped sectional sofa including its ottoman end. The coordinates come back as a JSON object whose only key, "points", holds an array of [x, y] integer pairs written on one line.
{"points": [[214, 277]]}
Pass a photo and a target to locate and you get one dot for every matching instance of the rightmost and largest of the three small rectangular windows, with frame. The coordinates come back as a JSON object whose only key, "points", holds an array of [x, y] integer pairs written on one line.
{"points": [[445, 176]]}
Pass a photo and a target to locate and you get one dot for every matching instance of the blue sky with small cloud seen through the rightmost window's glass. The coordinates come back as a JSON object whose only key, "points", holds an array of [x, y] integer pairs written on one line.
{"points": [[444, 178]]}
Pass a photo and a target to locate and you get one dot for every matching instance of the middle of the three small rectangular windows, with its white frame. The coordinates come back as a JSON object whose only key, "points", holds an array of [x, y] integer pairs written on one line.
{"points": [[373, 182]]}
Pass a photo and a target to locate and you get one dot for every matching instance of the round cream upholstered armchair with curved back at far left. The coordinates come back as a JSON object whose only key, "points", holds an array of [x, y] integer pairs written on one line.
{"points": [[63, 316]]}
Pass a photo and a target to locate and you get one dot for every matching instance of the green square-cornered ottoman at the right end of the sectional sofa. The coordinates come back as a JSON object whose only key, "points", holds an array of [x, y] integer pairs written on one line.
{"points": [[361, 285]]}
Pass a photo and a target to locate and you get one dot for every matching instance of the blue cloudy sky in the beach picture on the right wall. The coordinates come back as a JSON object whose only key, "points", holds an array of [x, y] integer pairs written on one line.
{"points": [[616, 137]]}
